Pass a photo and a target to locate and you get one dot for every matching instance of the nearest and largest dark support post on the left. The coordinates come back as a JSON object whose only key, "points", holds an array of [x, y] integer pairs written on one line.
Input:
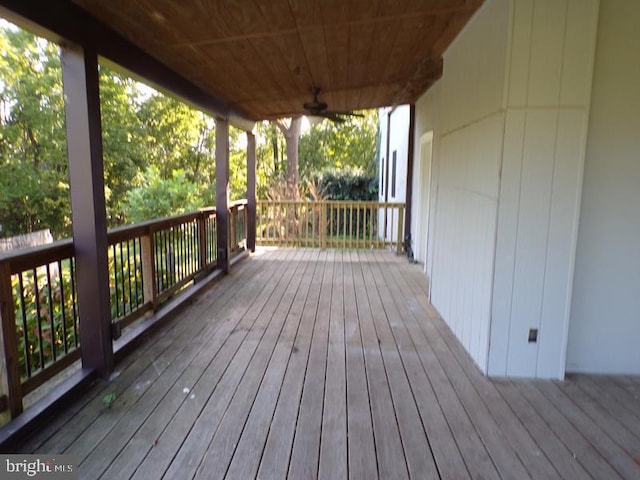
{"points": [[86, 179]]}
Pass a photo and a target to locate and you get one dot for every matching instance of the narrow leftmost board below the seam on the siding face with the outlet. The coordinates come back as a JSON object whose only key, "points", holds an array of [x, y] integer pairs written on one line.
{"points": [[508, 211]]}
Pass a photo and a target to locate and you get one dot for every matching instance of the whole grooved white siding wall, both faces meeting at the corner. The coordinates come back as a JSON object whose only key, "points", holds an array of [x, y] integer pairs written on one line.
{"points": [[510, 125]]}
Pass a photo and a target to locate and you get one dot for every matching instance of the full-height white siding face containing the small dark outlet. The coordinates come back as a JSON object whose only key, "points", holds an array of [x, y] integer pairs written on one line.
{"points": [[549, 81]]}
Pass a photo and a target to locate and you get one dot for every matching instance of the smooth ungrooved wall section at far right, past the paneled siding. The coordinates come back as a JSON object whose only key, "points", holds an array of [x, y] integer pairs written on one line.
{"points": [[605, 323]]}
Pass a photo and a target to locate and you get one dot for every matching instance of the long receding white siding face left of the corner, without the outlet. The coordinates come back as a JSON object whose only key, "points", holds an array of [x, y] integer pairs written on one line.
{"points": [[466, 176]]}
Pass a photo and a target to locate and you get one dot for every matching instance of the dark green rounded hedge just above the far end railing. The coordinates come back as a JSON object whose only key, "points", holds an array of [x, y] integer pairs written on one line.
{"points": [[347, 184]]}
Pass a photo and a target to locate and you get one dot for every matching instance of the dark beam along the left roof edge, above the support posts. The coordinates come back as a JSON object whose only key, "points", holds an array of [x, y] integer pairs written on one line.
{"points": [[62, 21]]}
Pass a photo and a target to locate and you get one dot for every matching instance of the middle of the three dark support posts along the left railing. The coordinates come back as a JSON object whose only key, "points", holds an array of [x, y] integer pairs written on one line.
{"points": [[222, 193]]}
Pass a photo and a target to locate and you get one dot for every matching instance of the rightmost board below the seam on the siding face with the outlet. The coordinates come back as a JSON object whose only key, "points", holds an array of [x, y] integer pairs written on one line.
{"points": [[563, 231]]}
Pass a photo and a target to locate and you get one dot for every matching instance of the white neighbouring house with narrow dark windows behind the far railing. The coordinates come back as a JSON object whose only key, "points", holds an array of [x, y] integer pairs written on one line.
{"points": [[393, 162]]}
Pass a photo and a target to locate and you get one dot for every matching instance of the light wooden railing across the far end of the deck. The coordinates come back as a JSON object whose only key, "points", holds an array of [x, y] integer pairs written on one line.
{"points": [[330, 224]]}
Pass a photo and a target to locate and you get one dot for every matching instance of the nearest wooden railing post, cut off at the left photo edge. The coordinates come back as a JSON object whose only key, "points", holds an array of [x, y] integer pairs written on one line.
{"points": [[10, 384]]}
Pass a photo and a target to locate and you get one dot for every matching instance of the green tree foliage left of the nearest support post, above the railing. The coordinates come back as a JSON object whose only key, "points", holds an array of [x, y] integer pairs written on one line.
{"points": [[33, 151]]}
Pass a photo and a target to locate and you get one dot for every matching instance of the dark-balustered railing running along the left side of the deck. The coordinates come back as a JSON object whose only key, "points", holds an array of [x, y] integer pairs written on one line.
{"points": [[148, 263]]}
